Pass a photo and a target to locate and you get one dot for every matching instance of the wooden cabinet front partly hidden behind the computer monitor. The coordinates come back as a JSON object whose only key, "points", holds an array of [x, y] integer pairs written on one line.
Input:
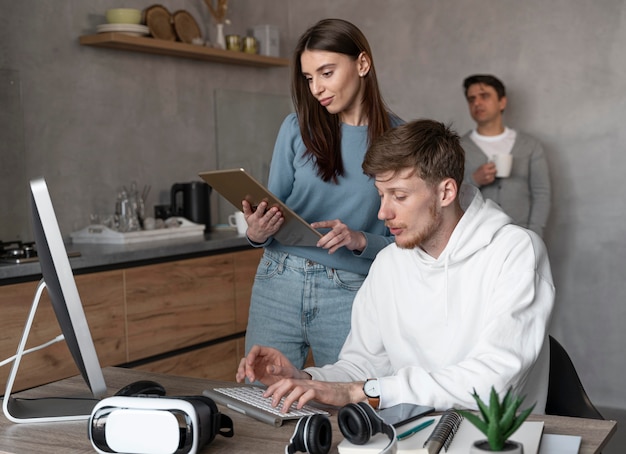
{"points": [[102, 296]]}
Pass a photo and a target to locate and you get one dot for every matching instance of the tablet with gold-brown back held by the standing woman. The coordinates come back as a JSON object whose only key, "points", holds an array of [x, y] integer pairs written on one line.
{"points": [[236, 185]]}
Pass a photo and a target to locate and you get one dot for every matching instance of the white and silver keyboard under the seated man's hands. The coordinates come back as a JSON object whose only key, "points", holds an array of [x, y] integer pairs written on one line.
{"points": [[249, 400]]}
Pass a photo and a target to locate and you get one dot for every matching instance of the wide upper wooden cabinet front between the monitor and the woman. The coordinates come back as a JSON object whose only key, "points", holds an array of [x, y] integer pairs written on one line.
{"points": [[179, 304]]}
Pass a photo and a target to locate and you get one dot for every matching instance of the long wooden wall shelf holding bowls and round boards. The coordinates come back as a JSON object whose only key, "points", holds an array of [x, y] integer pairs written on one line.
{"points": [[123, 41]]}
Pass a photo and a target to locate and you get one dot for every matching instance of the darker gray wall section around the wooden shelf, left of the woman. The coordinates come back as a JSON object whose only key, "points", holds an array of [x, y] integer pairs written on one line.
{"points": [[95, 120]]}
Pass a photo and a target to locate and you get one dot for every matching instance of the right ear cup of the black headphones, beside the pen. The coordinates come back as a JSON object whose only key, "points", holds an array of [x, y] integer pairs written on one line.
{"points": [[360, 422]]}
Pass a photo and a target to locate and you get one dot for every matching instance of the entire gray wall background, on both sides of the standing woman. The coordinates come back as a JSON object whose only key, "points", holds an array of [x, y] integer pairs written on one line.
{"points": [[96, 119]]}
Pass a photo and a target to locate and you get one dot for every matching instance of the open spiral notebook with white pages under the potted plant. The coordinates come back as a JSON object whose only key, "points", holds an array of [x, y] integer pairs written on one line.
{"points": [[529, 434]]}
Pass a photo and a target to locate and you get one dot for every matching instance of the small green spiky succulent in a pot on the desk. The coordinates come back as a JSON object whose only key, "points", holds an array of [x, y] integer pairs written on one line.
{"points": [[499, 421]]}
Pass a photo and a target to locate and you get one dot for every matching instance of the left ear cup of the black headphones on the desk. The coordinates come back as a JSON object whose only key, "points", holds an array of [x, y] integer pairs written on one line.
{"points": [[313, 434]]}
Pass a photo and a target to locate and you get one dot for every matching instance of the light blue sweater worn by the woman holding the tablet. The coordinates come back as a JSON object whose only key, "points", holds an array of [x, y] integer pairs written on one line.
{"points": [[355, 201]]}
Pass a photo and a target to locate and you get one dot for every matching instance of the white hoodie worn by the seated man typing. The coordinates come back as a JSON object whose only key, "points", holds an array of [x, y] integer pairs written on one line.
{"points": [[433, 330]]}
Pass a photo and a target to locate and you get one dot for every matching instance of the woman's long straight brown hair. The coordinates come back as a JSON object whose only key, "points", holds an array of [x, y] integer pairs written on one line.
{"points": [[320, 130]]}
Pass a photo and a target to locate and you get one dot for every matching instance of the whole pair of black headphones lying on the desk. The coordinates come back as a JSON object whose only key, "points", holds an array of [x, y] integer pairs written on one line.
{"points": [[357, 422]]}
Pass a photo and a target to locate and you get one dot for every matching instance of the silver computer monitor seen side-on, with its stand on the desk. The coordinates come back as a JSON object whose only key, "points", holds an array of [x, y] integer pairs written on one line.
{"points": [[58, 279]]}
